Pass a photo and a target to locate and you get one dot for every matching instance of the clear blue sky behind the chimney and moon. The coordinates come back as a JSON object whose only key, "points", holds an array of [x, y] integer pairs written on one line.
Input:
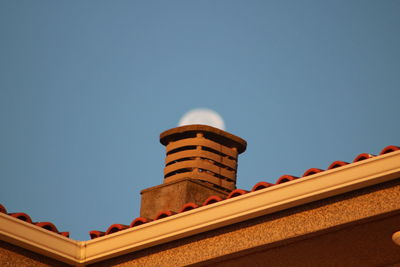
{"points": [[86, 87]]}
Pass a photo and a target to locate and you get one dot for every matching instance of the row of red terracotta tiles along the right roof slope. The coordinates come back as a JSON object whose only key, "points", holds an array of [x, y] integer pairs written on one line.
{"points": [[237, 192]]}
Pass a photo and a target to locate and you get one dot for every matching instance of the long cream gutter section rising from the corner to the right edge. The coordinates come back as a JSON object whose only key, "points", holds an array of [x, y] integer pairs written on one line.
{"points": [[322, 185]]}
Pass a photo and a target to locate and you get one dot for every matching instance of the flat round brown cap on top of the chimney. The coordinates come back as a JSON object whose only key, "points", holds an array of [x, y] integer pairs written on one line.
{"points": [[224, 137]]}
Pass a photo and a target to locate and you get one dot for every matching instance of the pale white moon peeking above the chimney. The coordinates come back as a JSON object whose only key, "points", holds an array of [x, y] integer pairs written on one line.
{"points": [[202, 116]]}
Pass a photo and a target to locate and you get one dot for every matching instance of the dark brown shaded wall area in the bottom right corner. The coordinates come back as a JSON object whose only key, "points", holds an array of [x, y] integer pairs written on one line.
{"points": [[366, 243]]}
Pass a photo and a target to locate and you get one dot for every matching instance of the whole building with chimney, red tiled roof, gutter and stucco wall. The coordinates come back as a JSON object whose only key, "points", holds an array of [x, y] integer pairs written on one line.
{"points": [[347, 215]]}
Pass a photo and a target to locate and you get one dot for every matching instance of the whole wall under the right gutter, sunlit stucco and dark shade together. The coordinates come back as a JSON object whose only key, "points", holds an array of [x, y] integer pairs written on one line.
{"points": [[344, 227]]}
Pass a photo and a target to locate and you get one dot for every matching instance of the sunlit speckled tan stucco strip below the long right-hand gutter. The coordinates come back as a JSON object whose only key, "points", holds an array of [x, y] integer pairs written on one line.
{"points": [[276, 230]]}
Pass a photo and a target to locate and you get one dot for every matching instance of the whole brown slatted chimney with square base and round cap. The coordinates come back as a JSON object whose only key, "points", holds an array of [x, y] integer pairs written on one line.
{"points": [[201, 161]]}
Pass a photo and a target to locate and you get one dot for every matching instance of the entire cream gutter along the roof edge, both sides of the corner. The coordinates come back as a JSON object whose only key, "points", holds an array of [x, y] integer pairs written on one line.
{"points": [[315, 187]]}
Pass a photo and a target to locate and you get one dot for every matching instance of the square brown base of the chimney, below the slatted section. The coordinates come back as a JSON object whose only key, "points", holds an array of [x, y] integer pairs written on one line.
{"points": [[172, 196]]}
